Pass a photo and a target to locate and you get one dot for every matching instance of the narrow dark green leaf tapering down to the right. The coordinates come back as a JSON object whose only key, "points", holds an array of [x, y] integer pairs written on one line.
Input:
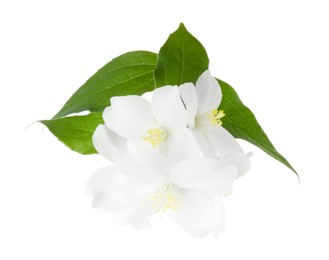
{"points": [[241, 123]]}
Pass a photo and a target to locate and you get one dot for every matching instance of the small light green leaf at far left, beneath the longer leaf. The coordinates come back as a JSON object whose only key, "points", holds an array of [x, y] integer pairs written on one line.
{"points": [[76, 131]]}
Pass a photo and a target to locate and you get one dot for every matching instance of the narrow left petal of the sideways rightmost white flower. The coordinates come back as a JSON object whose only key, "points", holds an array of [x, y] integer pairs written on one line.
{"points": [[188, 95]]}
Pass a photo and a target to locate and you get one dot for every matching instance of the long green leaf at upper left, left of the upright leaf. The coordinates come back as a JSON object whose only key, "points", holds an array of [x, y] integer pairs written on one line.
{"points": [[128, 74]]}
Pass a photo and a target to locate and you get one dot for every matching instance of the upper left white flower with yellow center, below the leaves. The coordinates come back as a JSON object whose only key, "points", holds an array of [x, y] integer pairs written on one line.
{"points": [[159, 125]]}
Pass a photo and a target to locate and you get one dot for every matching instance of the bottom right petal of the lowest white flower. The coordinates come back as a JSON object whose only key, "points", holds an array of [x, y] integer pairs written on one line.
{"points": [[198, 215]]}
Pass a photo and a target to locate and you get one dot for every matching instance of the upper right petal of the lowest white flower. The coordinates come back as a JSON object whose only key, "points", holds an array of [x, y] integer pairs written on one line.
{"points": [[207, 176]]}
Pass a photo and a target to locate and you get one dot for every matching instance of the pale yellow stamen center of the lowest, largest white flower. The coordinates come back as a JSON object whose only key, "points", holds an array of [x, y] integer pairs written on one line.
{"points": [[165, 198]]}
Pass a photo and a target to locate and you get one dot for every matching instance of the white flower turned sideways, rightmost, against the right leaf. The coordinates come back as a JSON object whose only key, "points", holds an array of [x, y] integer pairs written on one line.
{"points": [[204, 119]]}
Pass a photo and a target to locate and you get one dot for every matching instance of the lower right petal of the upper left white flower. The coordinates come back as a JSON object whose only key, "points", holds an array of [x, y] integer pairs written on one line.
{"points": [[181, 145]]}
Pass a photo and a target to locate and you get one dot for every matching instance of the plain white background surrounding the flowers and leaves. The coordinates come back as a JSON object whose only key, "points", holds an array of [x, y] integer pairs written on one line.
{"points": [[275, 54]]}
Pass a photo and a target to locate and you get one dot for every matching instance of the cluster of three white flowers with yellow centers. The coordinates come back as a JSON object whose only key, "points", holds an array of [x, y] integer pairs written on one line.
{"points": [[170, 155]]}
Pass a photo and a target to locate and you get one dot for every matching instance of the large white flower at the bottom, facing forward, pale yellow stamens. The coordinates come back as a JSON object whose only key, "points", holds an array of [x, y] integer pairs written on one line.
{"points": [[143, 183]]}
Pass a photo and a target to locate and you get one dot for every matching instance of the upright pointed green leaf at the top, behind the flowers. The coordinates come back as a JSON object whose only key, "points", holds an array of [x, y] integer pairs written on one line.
{"points": [[181, 59]]}
